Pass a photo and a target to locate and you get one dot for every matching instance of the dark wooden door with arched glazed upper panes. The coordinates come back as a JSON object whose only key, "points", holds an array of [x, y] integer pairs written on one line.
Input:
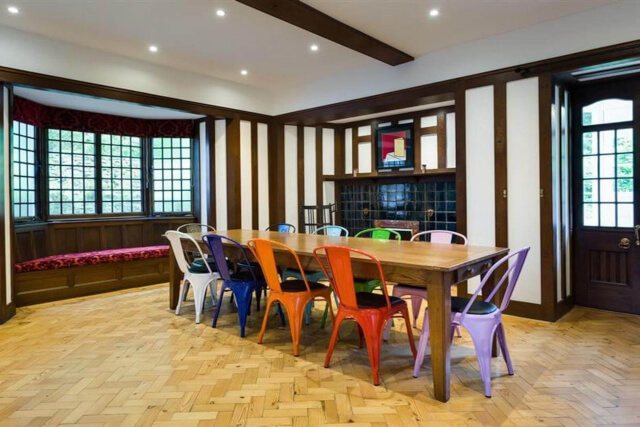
{"points": [[606, 154]]}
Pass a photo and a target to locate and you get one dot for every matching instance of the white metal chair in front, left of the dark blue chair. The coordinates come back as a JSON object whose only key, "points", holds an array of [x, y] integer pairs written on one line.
{"points": [[198, 275]]}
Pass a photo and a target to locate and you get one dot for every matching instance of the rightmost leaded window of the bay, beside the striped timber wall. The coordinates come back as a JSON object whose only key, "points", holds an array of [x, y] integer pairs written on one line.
{"points": [[171, 175]]}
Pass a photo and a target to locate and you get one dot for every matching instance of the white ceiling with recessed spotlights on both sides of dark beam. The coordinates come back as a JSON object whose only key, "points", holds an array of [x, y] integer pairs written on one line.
{"points": [[191, 37]]}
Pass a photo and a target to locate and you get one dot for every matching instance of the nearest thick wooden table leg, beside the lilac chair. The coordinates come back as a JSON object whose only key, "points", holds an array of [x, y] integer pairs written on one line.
{"points": [[440, 337]]}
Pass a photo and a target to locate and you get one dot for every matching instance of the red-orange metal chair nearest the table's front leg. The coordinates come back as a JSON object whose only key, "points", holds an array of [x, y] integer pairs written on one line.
{"points": [[370, 311]]}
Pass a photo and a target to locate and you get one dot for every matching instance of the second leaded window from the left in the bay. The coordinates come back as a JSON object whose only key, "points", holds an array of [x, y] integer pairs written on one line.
{"points": [[72, 157]]}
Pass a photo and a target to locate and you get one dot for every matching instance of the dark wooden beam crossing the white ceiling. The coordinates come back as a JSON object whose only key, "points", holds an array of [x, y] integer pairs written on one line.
{"points": [[304, 16]]}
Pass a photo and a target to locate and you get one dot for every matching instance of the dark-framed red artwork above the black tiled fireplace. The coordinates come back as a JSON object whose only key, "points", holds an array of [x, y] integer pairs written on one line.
{"points": [[394, 147]]}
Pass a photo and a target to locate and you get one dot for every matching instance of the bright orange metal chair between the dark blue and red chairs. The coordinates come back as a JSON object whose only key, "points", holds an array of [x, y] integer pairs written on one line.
{"points": [[294, 295]]}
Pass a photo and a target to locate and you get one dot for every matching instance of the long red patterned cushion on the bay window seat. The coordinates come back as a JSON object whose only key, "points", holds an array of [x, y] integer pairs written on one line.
{"points": [[91, 258]]}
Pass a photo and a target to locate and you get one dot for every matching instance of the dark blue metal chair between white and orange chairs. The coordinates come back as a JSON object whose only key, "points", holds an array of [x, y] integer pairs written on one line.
{"points": [[241, 284]]}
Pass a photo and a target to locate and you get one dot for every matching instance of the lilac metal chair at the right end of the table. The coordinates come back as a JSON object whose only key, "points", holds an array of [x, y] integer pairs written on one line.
{"points": [[482, 319]]}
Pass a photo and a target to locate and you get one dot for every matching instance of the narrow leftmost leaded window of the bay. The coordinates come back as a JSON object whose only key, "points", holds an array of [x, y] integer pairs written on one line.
{"points": [[24, 167]]}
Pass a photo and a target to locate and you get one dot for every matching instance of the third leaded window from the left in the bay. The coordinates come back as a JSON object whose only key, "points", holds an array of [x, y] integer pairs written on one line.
{"points": [[119, 165]]}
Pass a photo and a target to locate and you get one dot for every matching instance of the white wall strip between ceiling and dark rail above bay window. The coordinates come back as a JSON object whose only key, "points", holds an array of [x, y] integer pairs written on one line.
{"points": [[26, 51]]}
